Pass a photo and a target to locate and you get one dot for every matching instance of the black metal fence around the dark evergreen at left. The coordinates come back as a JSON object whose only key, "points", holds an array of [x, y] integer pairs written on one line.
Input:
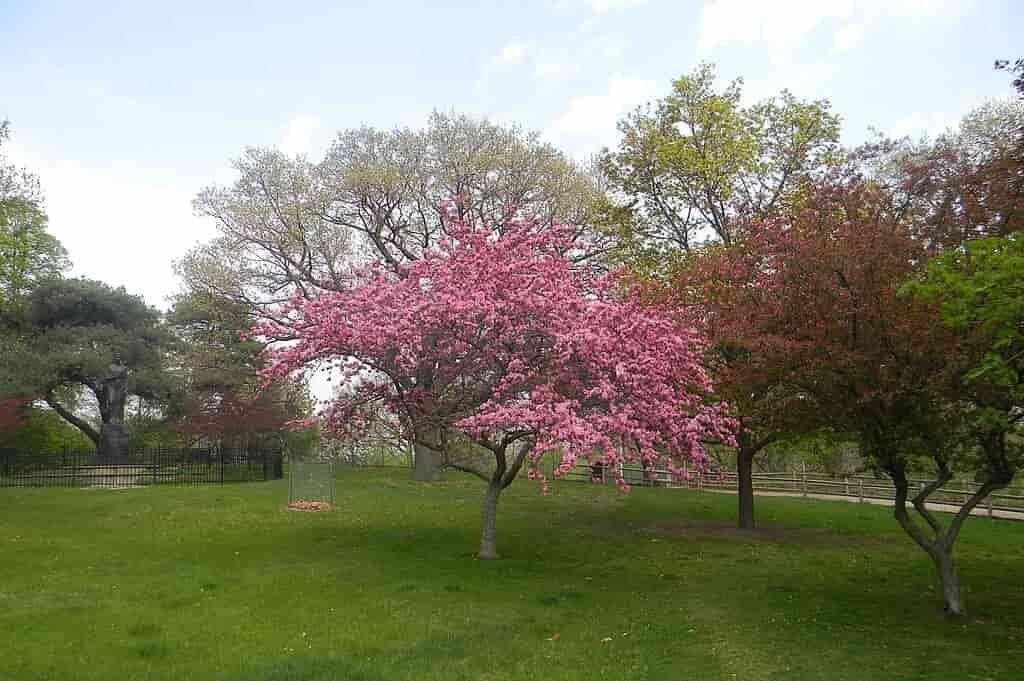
{"points": [[87, 470]]}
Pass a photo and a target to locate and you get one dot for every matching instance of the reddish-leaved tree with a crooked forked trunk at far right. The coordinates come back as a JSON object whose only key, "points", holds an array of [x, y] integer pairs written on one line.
{"points": [[819, 302]]}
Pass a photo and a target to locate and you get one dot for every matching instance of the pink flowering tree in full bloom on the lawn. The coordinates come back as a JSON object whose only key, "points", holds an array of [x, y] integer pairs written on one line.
{"points": [[497, 337]]}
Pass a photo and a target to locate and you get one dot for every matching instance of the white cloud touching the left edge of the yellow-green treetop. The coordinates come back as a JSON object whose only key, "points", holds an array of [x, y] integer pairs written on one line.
{"points": [[589, 122]]}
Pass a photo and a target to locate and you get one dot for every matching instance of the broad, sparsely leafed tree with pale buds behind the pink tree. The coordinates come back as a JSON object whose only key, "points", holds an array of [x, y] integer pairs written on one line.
{"points": [[290, 227]]}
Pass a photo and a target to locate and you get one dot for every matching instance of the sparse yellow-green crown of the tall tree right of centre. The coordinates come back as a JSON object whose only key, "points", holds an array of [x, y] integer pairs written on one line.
{"points": [[698, 165]]}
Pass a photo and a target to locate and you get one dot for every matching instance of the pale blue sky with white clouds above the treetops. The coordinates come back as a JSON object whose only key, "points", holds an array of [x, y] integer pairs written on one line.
{"points": [[126, 111]]}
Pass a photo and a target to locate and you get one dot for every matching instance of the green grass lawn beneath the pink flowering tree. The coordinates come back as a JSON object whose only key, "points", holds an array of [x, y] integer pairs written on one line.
{"points": [[223, 583]]}
